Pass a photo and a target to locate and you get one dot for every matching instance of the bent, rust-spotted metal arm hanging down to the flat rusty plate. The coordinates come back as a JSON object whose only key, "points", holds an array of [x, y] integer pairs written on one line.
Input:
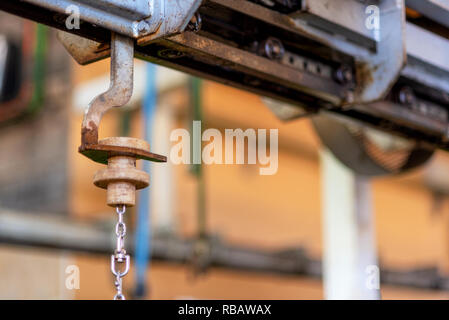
{"points": [[119, 92]]}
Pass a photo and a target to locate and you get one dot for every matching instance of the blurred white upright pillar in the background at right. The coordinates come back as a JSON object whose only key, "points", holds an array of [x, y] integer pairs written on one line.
{"points": [[350, 266]]}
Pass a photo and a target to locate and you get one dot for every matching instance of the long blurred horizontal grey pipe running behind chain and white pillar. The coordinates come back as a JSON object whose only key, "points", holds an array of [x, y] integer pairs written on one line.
{"points": [[51, 232]]}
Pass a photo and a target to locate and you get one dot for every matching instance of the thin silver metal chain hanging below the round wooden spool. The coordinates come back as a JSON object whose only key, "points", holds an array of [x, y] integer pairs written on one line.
{"points": [[120, 257]]}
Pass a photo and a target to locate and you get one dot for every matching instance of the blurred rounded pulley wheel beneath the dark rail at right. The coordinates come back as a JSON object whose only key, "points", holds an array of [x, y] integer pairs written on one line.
{"points": [[367, 151]]}
